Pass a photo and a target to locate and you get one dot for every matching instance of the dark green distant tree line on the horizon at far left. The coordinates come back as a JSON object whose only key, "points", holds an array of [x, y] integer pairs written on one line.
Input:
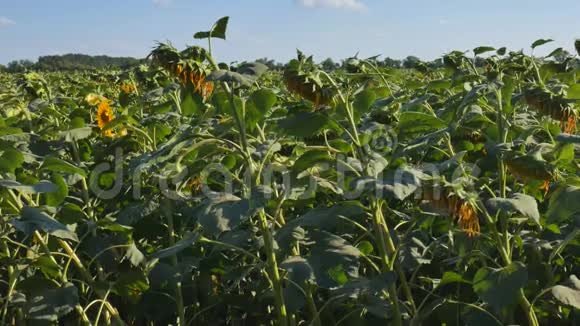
{"points": [[70, 62]]}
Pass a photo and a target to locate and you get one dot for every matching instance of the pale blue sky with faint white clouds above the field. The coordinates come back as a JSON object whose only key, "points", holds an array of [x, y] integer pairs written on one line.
{"points": [[275, 28]]}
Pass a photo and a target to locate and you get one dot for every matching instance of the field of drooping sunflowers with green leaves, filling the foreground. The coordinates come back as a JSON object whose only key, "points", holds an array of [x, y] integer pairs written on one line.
{"points": [[186, 191]]}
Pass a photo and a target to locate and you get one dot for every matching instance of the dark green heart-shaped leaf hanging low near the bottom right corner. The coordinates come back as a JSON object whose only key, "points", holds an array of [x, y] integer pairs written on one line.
{"points": [[500, 287]]}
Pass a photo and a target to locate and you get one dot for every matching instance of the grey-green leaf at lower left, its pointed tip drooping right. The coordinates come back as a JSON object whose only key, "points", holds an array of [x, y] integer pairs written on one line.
{"points": [[33, 219]]}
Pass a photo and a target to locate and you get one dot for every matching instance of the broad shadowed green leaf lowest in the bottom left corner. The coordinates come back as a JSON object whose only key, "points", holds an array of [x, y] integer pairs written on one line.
{"points": [[50, 305]]}
